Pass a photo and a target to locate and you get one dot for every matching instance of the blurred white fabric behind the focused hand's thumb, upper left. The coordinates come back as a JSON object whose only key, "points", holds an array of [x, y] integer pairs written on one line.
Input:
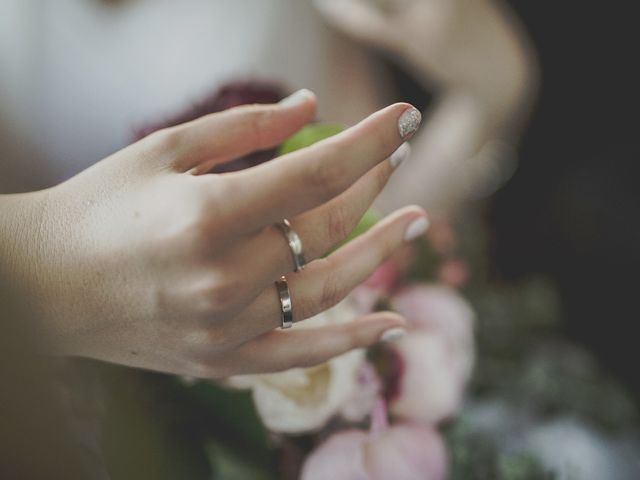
{"points": [[77, 75]]}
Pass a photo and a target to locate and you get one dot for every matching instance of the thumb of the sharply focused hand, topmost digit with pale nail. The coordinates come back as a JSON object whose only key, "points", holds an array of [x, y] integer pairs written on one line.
{"points": [[201, 144]]}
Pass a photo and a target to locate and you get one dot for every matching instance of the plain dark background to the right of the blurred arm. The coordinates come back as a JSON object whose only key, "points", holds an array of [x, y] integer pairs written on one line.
{"points": [[571, 209]]}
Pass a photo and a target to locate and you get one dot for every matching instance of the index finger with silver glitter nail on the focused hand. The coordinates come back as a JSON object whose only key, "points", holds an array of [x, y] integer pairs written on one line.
{"points": [[304, 179]]}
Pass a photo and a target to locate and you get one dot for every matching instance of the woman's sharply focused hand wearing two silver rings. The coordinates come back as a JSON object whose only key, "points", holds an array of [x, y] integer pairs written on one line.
{"points": [[147, 260]]}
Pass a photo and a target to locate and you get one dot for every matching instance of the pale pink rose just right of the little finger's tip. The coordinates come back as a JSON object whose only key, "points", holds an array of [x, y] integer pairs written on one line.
{"points": [[436, 359]]}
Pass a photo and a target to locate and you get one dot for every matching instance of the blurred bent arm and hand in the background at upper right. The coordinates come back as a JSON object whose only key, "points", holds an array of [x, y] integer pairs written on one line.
{"points": [[478, 59]]}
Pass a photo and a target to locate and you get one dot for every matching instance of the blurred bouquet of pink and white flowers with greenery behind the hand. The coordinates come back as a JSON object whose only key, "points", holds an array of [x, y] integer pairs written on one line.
{"points": [[407, 408]]}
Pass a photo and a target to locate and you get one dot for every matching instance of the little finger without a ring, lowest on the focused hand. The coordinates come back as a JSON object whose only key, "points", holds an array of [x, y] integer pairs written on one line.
{"points": [[281, 350]]}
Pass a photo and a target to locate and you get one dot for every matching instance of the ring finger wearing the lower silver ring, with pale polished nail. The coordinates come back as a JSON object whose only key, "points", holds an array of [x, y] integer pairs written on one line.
{"points": [[327, 281]]}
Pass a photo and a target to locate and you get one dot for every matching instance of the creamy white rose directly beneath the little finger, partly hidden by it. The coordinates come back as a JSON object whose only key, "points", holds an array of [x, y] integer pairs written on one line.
{"points": [[303, 399]]}
